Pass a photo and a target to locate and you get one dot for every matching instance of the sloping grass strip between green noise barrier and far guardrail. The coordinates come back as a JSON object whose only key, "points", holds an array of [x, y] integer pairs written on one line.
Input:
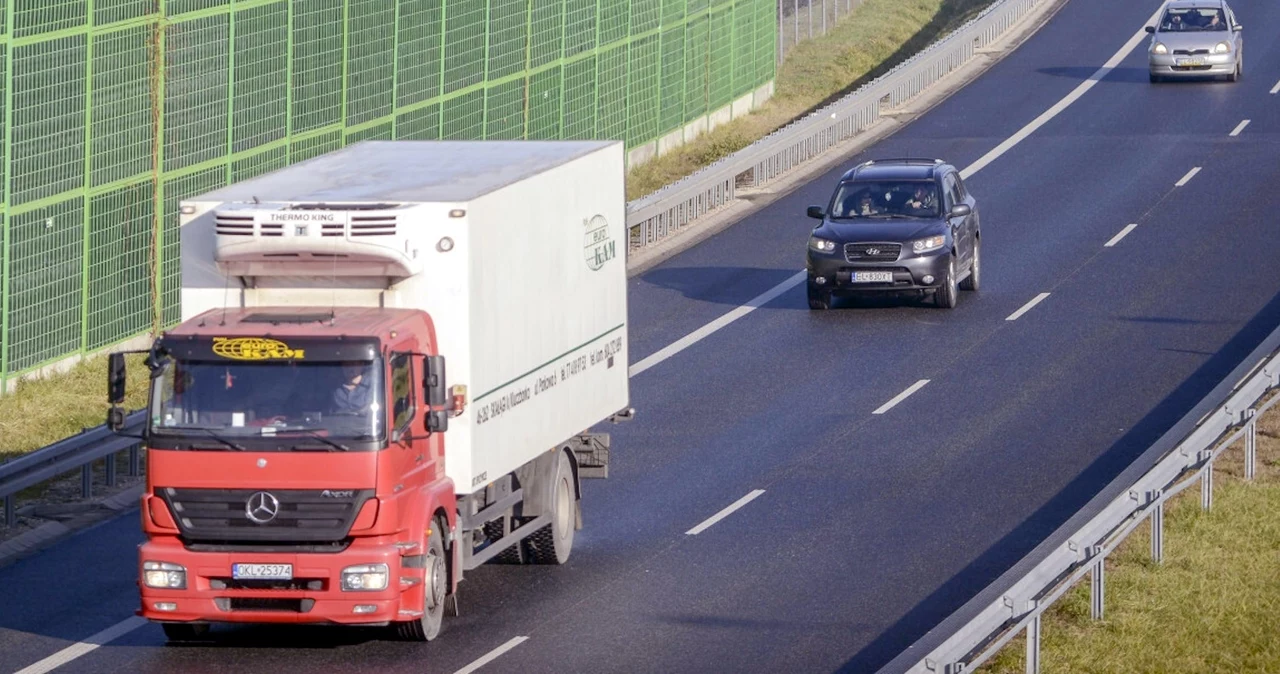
{"points": [[866, 44]]}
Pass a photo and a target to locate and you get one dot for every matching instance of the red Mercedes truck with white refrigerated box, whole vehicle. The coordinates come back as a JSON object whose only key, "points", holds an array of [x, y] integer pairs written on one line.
{"points": [[310, 460]]}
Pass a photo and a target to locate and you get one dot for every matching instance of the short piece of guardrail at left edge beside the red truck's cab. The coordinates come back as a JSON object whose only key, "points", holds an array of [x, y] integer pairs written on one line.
{"points": [[66, 456]]}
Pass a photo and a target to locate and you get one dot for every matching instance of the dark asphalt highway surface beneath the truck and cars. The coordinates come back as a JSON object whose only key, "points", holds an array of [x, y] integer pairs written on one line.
{"points": [[871, 528]]}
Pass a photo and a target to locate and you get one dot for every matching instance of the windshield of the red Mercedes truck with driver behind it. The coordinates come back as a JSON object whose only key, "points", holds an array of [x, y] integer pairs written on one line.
{"points": [[312, 404]]}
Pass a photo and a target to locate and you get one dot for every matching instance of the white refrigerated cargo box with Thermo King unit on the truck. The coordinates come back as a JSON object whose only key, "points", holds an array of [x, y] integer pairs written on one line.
{"points": [[515, 250]]}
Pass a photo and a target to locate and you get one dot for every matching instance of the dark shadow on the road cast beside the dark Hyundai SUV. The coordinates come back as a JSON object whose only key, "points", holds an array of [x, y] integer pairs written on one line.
{"points": [[728, 286]]}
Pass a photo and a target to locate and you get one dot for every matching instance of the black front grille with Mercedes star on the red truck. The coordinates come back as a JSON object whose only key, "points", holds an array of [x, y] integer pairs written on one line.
{"points": [[287, 516]]}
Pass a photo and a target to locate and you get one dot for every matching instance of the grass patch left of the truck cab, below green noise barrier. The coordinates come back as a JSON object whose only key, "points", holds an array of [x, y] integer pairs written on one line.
{"points": [[44, 411]]}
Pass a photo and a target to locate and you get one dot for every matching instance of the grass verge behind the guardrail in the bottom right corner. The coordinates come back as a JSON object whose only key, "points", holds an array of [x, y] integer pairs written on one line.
{"points": [[1212, 607]]}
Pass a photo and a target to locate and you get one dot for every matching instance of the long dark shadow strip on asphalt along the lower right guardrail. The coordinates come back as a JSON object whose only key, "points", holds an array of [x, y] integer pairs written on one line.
{"points": [[1159, 433]]}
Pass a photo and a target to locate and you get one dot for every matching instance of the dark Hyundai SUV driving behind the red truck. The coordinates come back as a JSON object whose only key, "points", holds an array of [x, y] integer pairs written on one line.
{"points": [[904, 226]]}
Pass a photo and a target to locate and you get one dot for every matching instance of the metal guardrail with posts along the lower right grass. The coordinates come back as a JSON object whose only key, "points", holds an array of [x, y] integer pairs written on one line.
{"points": [[1080, 548]]}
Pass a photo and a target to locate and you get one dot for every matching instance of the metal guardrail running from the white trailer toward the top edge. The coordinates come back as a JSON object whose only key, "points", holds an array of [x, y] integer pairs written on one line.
{"points": [[674, 208]]}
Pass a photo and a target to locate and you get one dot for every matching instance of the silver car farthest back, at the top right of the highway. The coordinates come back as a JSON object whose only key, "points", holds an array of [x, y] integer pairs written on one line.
{"points": [[1196, 39]]}
